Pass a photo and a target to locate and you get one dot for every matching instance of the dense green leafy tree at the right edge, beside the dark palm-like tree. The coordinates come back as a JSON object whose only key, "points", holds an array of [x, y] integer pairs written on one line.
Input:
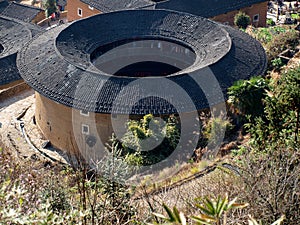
{"points": [[282, 108]]}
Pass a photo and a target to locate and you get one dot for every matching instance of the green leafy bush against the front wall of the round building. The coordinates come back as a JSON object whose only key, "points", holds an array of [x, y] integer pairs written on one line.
{"points": [[150, 140]]}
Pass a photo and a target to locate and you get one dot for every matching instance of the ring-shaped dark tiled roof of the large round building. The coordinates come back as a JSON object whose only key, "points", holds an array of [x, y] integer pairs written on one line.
{"points": [[61, 70]]}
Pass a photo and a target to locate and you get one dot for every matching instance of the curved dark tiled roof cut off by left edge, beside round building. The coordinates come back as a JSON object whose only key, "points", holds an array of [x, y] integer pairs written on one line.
{"points": [[13, 36]]}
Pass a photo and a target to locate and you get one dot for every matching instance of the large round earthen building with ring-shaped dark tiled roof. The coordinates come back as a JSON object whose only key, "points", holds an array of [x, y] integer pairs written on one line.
{"points": [[91, 75]]}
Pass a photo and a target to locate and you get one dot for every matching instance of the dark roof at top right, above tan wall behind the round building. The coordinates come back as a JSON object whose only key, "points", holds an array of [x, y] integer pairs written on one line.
{"points": [[206, 8]]}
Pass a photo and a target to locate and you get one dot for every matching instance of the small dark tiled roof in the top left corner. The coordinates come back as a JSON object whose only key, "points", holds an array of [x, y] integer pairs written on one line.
{"points": [[21, 12]]}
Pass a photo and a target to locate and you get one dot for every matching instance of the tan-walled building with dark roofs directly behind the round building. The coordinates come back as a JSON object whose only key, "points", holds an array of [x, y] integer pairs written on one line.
{"points": [[218, 10]]}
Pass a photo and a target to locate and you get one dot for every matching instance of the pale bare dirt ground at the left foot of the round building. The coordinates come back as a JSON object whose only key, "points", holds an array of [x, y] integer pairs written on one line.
{"points": [[15, 110]]}
